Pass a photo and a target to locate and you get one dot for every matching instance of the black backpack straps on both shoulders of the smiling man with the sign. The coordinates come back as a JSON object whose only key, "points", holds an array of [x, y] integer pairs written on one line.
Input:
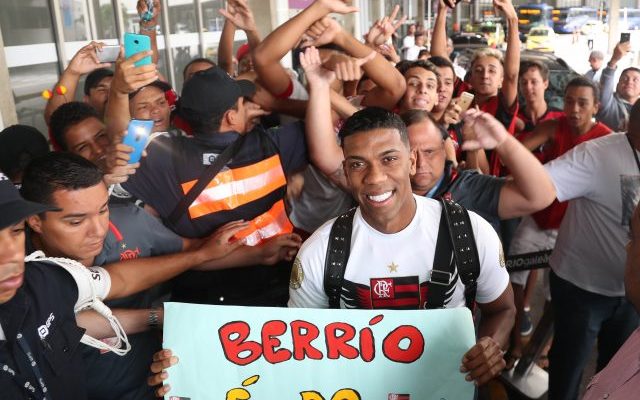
{"points": [[455, 234]]}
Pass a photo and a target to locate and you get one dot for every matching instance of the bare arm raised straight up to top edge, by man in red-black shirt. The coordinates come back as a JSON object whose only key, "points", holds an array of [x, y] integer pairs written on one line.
{"points": [[512, 56]]}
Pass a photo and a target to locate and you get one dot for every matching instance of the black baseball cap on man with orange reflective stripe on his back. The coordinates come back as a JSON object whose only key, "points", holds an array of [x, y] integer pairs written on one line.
{"points": [[213, 92]]}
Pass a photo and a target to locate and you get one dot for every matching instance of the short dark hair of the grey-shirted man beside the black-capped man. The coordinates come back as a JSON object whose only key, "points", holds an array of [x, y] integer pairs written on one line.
{"points": [[57, 171]]}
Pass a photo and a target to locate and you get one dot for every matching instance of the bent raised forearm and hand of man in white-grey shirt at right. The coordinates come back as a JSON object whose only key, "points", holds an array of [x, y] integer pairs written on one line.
{"points": [[530, 188]]}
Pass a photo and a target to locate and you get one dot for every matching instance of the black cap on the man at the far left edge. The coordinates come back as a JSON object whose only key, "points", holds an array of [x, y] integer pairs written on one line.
{"points": [[13, 208]]}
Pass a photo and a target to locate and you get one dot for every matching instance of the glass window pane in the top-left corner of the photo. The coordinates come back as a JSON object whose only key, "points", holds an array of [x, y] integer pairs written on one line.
{"points": [[25, 23]]}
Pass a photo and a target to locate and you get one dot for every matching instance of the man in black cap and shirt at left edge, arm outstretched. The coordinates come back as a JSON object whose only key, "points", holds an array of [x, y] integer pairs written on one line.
{"points": [[39, 332]]}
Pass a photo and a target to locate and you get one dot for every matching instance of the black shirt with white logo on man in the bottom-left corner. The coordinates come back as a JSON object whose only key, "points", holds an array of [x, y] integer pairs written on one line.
{"points": [[42, 311]]}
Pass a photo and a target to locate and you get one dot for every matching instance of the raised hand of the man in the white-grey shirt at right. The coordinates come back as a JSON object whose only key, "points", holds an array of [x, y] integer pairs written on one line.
{"points": [[489, 132]]}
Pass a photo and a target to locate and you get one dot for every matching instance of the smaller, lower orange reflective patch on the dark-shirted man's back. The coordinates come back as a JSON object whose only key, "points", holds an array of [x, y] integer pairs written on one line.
{"points": [[271, 223]]}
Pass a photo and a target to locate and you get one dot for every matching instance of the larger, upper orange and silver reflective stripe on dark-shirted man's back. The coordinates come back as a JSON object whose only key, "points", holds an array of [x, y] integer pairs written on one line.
{"points": [[235, 187]]}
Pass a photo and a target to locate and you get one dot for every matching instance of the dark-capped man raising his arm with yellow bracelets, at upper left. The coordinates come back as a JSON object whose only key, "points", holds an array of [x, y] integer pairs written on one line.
{"points": [[96, 86]]}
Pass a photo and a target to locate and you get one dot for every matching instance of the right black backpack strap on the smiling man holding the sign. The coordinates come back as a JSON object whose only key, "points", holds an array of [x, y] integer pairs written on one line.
{"points": [[465, 250]]}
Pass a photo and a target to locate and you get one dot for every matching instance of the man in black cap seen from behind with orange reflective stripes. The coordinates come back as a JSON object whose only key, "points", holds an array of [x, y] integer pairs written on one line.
{"points": [[249, 185]]}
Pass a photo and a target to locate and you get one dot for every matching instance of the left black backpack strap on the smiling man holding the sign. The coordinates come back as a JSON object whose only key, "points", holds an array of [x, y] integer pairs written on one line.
{"points": [[337, 256]]}
